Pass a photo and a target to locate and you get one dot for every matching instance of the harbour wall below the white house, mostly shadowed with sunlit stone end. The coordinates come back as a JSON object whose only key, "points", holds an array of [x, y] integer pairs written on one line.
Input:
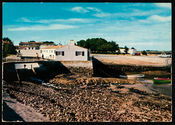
{"points": [[46, 69]]}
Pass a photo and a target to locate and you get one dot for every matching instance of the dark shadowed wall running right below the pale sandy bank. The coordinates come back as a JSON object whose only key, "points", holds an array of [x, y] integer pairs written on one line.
{"points": [[115, 70]]}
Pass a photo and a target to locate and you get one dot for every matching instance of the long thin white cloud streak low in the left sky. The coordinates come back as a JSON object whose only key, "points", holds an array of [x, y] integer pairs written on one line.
{"points": [[40, 27]]}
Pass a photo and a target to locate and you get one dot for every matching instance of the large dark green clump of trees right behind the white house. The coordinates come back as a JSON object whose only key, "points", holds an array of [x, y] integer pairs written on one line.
{"points": [[99, 45]]}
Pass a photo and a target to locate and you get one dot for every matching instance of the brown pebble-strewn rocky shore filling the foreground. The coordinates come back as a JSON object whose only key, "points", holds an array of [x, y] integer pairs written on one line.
{"points": [[90, 101]]}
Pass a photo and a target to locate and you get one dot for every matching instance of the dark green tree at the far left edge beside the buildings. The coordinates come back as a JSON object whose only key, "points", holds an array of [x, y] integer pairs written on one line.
{"points": [[8, 47]]}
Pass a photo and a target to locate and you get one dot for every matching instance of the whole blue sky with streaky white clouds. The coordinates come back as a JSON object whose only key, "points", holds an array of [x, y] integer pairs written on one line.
{"points": [[144, 26]]}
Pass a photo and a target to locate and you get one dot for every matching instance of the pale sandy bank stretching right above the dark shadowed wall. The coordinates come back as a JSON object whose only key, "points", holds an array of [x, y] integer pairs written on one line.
{"points": [[134, 60]]}
